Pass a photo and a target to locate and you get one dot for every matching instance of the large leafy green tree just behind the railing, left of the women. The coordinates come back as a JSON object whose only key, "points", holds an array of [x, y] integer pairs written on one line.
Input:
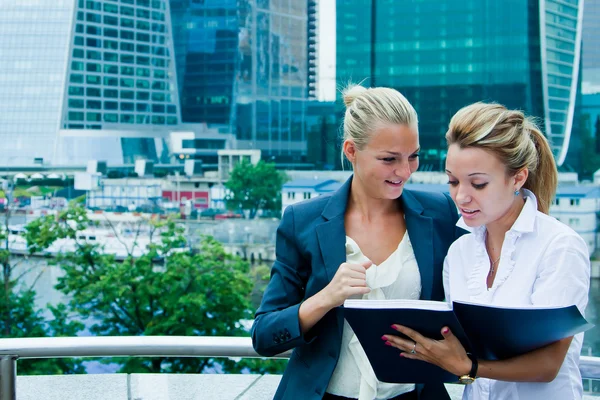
{"points": [[168, 290]]}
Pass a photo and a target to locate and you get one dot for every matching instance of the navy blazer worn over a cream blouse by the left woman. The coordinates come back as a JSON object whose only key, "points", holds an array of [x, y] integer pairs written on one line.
{"points": [[310, 247]]}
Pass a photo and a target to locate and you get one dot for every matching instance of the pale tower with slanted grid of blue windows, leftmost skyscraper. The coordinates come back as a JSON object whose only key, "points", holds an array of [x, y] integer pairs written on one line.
{"points": [[84, 79]]}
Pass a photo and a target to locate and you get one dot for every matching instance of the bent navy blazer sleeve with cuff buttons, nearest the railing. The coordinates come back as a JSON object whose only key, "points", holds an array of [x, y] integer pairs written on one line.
{"points": [[276, 326]]}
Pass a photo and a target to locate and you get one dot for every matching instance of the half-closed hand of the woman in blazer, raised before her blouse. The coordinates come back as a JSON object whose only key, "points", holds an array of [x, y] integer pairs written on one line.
{"points": [[349, 280]]}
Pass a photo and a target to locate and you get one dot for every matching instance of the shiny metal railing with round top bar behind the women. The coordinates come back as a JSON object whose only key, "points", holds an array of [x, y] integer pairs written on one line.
{"points": [[147, 346]]}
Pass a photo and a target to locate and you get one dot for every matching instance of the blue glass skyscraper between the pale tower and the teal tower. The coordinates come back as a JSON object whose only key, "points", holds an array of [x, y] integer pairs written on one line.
{"points": [[242, 68]]}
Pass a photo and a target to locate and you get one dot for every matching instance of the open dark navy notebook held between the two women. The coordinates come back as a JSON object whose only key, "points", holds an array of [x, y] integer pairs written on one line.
{"points": [[488, 332]]}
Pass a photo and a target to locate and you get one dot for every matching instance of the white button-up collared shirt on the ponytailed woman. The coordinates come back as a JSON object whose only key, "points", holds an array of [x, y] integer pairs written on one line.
{"points": [[542, 263]]}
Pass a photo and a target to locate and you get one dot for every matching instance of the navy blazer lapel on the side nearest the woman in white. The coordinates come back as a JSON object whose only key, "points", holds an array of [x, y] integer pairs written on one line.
{"points": [[420, 232]]}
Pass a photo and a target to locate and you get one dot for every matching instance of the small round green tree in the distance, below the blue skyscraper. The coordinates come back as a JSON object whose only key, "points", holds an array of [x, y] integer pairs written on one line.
{"points": [[254, 187]]}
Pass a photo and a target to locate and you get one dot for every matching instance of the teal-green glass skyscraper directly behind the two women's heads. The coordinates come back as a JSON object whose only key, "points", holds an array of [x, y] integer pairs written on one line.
{"points": [[445, 54]]}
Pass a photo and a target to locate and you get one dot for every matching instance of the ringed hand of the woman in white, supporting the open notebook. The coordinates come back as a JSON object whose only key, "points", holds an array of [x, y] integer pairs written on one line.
{"points": [[448, 353]]}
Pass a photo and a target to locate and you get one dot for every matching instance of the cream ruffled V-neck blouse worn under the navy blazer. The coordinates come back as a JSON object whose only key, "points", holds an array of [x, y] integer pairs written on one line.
{"points": [[396, 278]]}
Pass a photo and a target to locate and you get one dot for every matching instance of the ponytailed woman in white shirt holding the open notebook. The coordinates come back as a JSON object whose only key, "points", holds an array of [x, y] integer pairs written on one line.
{"points": [[502, 178]]}
